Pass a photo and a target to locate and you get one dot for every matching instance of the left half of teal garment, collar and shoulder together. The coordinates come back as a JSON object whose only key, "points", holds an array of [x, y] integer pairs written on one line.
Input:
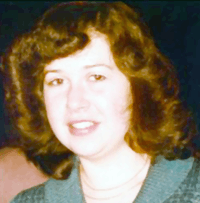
{"points": [[53, 191]]}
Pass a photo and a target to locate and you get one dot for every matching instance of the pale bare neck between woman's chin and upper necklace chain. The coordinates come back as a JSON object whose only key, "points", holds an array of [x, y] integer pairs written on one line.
{"points": [[114, 169]]}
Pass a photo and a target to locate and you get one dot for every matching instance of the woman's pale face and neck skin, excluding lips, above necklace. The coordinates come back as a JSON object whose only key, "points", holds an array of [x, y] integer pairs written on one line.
{"points": [[100, 93]]}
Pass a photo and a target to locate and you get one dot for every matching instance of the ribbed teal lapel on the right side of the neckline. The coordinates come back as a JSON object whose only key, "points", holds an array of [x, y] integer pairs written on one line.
{"points": [[164, 177]]}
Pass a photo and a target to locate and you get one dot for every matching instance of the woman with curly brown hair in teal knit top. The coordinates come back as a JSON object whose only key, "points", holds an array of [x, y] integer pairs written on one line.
{"points": [[95, 100]]}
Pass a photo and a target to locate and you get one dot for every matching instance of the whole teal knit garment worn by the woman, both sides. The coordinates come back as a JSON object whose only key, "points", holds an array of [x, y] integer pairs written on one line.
{"points": [[175, 181]]}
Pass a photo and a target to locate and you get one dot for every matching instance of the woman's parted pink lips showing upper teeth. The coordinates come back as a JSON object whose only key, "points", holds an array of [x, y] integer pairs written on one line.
{"points": [[80, 128]]}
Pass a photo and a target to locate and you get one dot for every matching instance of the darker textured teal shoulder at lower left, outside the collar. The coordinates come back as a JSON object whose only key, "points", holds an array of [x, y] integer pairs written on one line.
{"points": [[32, 195]]}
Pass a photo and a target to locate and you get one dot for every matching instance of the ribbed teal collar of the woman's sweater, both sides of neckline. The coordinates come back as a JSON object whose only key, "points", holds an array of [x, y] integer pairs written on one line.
{"points": [[163, 178]]}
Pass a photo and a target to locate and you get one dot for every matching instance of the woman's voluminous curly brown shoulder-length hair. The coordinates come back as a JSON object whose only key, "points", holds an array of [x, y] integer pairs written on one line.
{"points": [[160, 124]]}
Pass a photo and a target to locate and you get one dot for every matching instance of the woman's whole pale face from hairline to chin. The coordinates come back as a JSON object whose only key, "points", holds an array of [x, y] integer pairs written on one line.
{"points": [[86, 98]]}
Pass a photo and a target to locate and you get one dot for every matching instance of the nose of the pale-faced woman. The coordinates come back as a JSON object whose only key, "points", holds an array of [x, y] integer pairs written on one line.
{"points": [[77, 98]]}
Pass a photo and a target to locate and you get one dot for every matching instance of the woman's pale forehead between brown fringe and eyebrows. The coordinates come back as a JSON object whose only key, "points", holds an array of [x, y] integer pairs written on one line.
{"points": [[96, 52]]}
